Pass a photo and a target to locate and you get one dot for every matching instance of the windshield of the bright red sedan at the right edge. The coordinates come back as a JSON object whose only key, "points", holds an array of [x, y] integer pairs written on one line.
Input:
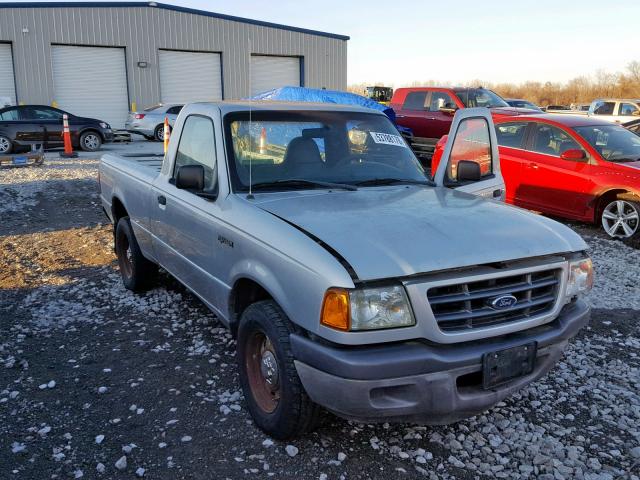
{"points": [[613, 142]]}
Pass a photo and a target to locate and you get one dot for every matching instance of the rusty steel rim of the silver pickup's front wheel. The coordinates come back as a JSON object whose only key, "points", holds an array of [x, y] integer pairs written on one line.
{"points": [[263, 371]]}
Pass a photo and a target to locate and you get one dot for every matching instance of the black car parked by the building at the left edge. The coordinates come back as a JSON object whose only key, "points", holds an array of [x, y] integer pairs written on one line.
{"points": [[26, 125]]}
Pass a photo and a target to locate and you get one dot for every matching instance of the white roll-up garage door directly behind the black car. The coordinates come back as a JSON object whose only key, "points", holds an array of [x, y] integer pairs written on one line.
{"points": [[91, 82]]}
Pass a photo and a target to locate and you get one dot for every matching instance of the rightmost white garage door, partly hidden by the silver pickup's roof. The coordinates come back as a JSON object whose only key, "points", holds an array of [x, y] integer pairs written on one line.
{"points": [[269, 72]]}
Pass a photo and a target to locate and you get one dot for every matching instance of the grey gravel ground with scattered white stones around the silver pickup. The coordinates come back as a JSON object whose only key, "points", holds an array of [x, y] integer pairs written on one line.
{"points": [[96, 382]]}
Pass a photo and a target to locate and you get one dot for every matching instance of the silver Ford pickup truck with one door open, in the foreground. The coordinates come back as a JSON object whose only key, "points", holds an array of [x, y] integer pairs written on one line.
{"points": [[350, 279]]}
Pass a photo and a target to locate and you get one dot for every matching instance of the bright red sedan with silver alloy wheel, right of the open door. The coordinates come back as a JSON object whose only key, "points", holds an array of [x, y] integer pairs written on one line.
{"points": [[573, 167]]}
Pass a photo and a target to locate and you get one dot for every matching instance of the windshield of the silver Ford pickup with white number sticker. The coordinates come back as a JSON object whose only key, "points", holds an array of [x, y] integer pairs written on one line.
{"points": [[315, 149]]}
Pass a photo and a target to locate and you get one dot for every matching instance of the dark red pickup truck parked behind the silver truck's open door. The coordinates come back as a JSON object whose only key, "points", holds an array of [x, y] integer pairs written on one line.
{"points": [[428, 112]]}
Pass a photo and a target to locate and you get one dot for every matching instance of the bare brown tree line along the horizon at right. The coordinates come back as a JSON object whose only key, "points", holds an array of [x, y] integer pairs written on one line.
{"points": [[581, 89]]}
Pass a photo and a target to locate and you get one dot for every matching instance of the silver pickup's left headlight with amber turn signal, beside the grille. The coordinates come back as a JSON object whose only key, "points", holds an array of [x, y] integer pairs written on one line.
{"points": [[367, 308]]}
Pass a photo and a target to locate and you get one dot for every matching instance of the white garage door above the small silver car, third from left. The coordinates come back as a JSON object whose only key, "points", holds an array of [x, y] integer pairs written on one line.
{"points": [[190, 77]]}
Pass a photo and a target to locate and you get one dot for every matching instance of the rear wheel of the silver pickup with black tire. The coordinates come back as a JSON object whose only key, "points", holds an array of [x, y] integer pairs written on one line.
{"points": [[138, 273]]}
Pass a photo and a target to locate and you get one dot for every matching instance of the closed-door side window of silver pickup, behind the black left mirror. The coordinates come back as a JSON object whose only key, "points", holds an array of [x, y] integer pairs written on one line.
{"points": [[197, 147]]}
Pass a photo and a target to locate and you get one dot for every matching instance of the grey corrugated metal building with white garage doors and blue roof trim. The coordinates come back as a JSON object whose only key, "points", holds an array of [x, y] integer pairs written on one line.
{"points": [[99, 59]]}
